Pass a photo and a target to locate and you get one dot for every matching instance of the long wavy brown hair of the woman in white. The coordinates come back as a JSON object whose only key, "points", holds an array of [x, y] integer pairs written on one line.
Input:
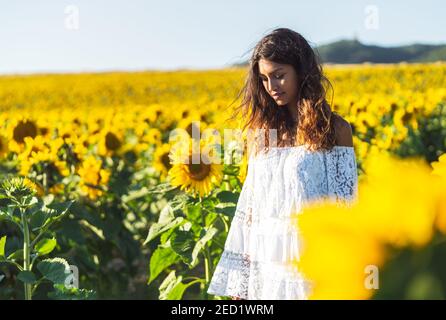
{"points": [[315, 125]]}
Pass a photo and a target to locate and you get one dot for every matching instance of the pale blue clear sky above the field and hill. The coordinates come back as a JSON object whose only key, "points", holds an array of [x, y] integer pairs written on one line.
{"points": [[100, 35]]}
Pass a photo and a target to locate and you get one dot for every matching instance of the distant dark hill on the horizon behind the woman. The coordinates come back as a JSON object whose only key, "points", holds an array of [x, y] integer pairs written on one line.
{"points": [[353, 51]]}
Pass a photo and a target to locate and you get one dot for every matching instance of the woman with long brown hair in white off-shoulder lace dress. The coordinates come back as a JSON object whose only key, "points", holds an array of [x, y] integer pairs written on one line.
{"points": [[304, 153]]}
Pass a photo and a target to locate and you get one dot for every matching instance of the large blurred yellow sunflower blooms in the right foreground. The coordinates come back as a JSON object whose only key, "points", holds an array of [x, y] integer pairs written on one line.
{"points": [[343, 245]]}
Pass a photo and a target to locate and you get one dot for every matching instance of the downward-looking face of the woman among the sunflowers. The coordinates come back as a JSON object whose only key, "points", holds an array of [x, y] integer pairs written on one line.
{"points": [[280, 81]]}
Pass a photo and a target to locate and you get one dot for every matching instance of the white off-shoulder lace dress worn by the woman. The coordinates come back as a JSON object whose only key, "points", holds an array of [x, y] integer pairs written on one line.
{"points": [[263, 239]]}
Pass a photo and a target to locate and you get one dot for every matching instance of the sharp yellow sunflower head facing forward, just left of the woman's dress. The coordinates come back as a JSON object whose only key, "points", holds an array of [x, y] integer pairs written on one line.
{"points": [[193, 171]]}
